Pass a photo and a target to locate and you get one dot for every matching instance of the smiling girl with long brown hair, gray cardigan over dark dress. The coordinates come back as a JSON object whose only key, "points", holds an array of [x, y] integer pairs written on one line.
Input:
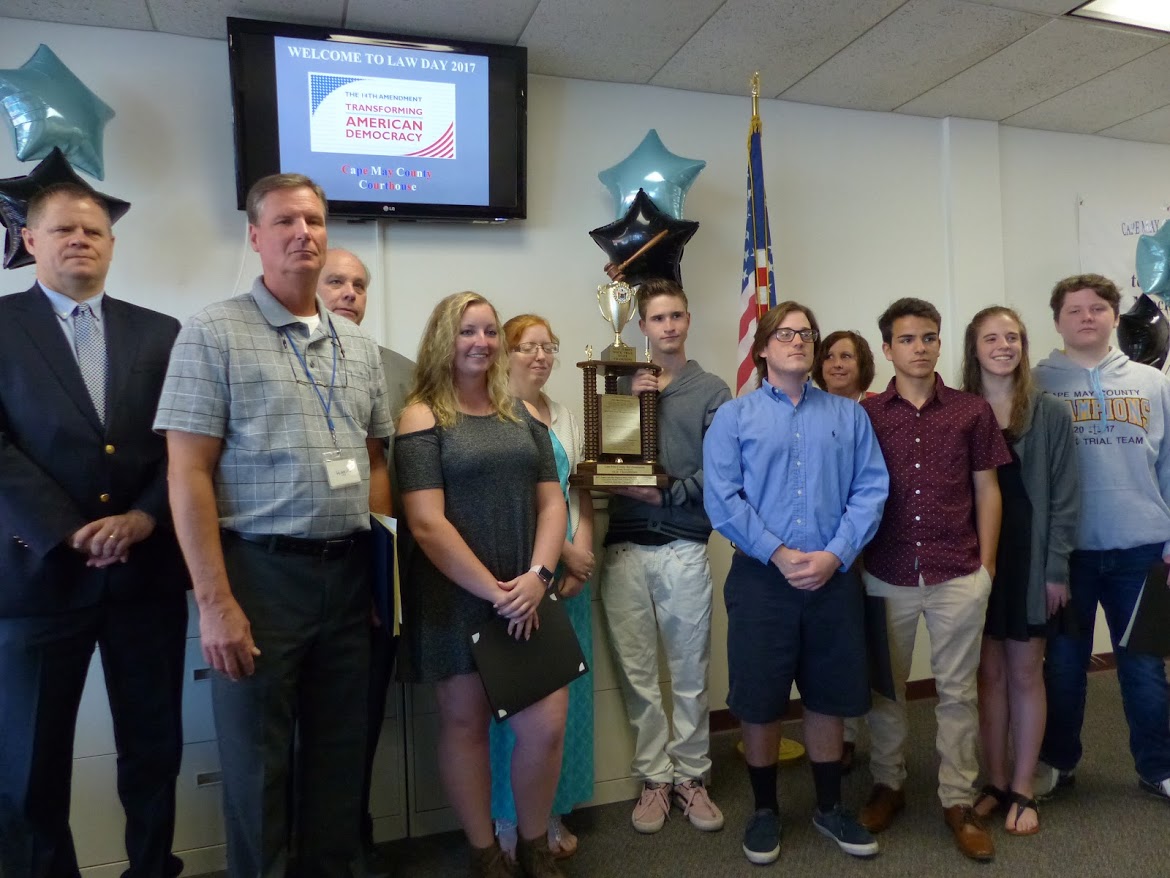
{"points": [[1041, 507]]}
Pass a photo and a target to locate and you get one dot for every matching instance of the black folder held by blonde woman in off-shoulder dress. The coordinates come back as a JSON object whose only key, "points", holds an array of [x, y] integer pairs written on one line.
{"points": [[519, 674]]}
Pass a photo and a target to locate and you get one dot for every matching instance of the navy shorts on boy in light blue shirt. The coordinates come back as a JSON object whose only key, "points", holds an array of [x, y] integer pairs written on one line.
{"points": [[780, 635]]}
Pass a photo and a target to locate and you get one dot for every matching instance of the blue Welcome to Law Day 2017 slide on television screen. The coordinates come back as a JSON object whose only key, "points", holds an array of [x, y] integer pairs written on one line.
{"points": [[375, 124]]}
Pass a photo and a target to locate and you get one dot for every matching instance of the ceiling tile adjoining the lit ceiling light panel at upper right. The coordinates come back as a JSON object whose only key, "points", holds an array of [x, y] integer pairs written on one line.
{"points": [[1061, 56]]}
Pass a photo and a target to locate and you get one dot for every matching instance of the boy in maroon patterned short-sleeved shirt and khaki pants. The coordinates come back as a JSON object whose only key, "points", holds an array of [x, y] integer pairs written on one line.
{"points": [[934, 557]]}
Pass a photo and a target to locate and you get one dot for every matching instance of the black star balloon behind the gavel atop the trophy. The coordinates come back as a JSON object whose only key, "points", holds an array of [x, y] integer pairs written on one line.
{"points": [[623, 238]]}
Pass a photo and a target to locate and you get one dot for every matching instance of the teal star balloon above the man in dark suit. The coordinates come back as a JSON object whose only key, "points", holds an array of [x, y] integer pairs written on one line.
{"points": [[49, 106]]}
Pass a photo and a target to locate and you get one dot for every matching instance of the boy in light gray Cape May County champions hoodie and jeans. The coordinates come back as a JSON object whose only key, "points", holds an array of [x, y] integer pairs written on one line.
{"points": [[1121, 413]]}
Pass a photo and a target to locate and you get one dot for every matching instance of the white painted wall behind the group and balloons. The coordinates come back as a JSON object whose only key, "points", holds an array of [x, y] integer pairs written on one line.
{"points": [[865, 208]]}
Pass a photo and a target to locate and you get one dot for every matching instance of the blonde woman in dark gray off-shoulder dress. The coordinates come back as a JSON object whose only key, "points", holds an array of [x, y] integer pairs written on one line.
{"points": [[484, 504]]}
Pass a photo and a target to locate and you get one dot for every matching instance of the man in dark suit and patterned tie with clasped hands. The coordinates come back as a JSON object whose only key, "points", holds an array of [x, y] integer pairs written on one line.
{"points": [[87, 553]]}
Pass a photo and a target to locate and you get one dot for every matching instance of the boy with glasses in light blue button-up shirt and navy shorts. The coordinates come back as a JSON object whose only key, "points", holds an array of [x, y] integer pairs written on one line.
{"points": [[797, 483]]}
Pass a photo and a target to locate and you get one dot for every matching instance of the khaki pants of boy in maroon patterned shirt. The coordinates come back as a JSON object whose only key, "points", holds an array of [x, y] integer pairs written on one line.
{"points": [[955, 613]]}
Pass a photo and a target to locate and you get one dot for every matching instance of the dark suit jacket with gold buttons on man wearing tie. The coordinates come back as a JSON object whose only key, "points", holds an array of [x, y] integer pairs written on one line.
{"points": [[60, 470]]}
